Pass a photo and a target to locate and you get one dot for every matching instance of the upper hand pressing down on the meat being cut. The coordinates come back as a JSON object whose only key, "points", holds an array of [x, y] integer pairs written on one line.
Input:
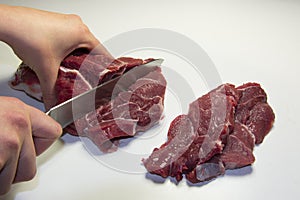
{"points": [[43, 39]]}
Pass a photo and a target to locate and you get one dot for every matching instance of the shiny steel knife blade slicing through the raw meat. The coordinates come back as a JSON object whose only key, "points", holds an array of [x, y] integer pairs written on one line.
{"points": [[77, 107]]}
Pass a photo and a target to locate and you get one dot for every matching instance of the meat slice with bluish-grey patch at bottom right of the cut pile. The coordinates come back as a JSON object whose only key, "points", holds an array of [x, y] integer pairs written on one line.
{"points": [[237, 153]]}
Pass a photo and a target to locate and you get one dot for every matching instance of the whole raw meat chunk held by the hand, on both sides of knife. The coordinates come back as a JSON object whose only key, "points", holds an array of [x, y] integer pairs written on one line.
{"points": [[136, 109]]}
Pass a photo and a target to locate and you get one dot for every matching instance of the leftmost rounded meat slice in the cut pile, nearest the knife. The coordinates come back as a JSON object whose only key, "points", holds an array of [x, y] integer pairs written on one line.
{"points": [[170, 159]]}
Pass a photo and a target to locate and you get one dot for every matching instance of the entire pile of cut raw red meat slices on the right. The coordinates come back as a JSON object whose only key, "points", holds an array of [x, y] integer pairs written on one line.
{"points": [[218, 133]]}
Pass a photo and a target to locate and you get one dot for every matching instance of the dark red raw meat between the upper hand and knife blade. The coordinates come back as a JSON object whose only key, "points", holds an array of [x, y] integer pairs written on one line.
{"points": [[81, 73]]}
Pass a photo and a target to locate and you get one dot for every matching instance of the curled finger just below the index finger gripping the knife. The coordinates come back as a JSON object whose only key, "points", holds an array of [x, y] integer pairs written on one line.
{"points": [[26, 168]]}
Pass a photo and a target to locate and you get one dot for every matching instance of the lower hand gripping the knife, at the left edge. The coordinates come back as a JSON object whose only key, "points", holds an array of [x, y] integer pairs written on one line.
{"points": [[25, 133]]}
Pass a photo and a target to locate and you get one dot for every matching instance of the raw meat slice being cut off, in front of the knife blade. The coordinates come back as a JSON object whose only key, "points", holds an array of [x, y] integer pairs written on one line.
{"points": [[132, 111]]}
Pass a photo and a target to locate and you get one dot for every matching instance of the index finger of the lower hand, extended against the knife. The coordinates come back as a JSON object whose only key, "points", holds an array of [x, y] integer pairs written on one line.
{"points": [[44, 130]]}
